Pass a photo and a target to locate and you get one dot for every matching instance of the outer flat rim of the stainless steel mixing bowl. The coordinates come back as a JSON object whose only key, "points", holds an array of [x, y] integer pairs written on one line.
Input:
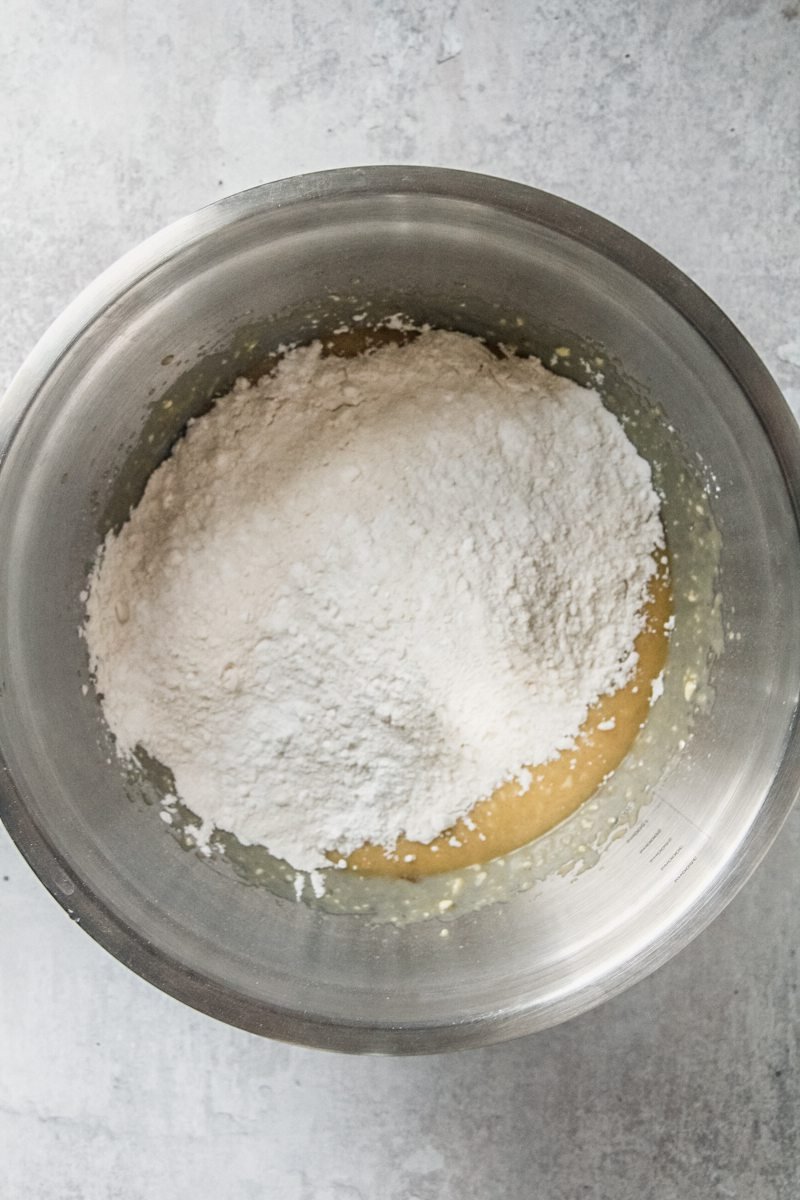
{"points": [[76, 896]]}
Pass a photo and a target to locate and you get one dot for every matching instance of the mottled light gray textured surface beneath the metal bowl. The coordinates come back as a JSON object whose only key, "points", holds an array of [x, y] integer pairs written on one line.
{"points": [[679, 122]]}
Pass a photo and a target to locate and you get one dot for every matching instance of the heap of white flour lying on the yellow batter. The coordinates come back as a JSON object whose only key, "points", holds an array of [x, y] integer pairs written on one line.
{"points": [[364, 593]]}
